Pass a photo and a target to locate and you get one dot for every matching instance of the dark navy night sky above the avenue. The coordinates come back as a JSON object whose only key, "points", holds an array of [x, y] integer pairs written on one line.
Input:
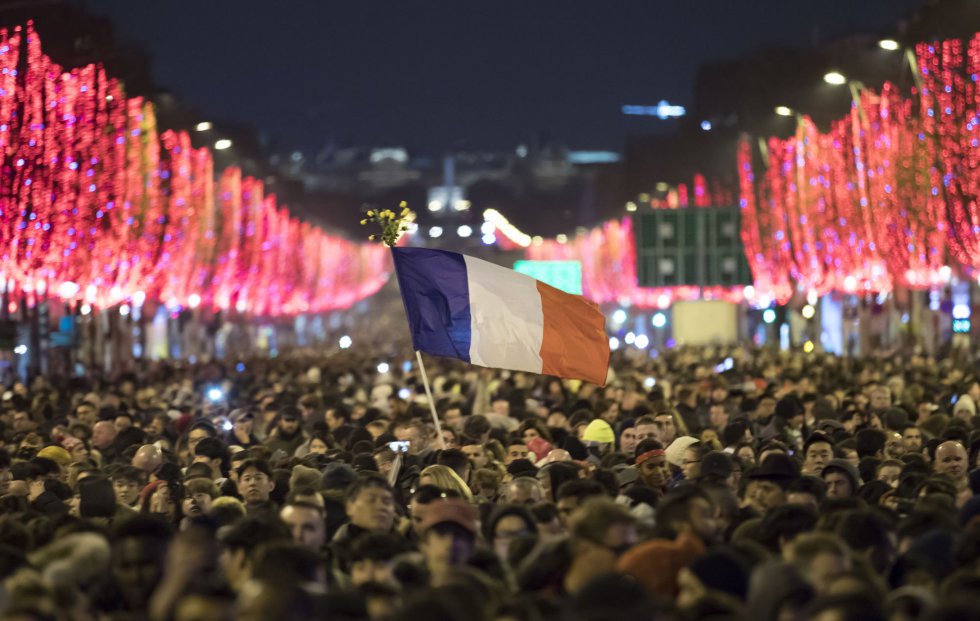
{"points": [[437, 74]]}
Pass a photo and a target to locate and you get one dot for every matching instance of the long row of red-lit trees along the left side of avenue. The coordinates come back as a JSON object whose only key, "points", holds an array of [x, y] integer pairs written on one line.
{"points": [[98, 208]]}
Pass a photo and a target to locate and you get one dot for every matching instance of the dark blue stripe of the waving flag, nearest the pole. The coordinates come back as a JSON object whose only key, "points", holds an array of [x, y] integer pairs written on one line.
{"points": [[435, 292]]}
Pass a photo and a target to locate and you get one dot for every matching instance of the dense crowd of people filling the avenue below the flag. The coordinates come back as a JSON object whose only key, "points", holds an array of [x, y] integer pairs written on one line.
{"points": [[697, 484]]}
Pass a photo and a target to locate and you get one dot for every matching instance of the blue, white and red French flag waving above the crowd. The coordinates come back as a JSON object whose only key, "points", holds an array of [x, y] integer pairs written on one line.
{"points": [[466, 308]]}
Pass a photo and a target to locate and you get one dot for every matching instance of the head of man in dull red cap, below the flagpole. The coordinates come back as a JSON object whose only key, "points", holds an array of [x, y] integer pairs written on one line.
{"points": [[448, 536]]}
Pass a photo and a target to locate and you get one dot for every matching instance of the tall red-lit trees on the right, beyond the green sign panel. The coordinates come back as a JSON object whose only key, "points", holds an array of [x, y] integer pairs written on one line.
{"points": [[888, 197]]}
